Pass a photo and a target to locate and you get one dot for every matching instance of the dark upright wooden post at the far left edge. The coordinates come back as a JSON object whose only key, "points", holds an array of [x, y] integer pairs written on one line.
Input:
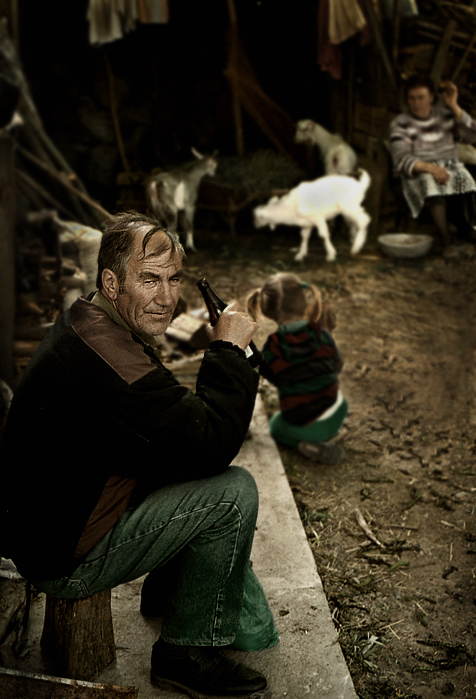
{"points": [[7, 257]]}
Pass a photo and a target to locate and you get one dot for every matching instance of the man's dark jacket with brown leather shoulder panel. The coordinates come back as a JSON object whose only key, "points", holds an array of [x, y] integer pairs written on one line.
{"points": [[96, 401]]}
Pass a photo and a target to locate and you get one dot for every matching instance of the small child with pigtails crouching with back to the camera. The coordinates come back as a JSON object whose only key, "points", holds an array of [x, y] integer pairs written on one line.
{"points": [[303, 362]]}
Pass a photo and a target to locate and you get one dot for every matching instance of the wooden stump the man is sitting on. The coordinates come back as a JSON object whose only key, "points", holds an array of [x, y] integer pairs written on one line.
{"points": [[78, 635]]}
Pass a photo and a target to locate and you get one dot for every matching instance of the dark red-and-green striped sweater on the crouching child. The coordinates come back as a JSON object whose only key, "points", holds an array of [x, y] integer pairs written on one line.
{"points": [[303, 362]]}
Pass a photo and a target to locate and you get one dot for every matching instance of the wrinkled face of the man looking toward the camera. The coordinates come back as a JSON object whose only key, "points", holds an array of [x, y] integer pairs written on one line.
{"points": [[151, 290]]}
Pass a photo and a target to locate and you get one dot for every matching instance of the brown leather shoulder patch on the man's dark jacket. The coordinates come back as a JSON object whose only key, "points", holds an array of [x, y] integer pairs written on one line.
{"points": [[112, 343]]}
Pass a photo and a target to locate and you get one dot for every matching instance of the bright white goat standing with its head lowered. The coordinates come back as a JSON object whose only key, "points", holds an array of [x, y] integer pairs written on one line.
{"points": [[312, 204]]}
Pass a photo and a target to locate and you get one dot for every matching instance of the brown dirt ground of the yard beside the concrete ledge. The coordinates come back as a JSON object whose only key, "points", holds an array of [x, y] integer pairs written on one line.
{"points": [[403, 594]]}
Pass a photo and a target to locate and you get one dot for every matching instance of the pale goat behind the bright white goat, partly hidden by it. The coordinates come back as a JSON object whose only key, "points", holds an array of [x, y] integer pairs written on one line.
{"points": [[338, 157]]}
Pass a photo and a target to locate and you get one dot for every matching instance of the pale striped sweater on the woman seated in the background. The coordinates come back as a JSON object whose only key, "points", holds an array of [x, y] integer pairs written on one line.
{"points": [[431, 139]]}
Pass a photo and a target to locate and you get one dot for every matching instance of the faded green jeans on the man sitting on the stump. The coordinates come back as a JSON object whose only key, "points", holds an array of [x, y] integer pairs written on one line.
{"points": [[202, 532]]}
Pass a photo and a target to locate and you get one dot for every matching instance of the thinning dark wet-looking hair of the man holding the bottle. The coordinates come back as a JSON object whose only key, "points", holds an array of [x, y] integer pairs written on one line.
{"points": [[118, 240]]}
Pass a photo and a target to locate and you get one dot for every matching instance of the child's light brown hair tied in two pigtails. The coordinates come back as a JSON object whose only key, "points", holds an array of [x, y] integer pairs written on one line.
{"points": [[284, 295]]}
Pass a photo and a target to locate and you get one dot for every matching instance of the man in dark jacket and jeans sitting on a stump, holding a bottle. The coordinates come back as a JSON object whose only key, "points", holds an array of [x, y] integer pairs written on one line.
{"points": [[135, 474]]}
